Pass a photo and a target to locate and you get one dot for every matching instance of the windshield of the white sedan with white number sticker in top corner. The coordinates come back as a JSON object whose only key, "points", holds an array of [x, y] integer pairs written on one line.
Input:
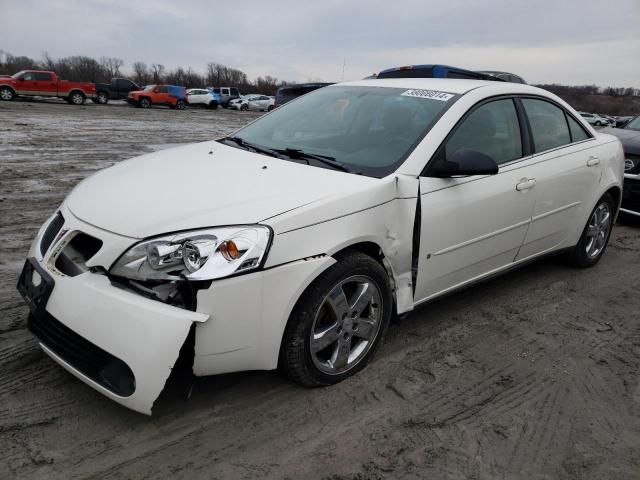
{"points": [[367, 130]]}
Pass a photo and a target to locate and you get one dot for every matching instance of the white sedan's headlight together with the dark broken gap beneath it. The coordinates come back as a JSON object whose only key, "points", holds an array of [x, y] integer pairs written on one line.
{"points": [[172, 268]]}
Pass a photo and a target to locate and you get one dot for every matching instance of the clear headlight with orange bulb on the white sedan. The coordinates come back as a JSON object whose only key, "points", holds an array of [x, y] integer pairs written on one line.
{"points": [[196, 255]]}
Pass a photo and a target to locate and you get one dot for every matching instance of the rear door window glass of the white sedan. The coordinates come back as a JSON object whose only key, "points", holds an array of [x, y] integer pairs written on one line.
{"points": [[548, 125]]}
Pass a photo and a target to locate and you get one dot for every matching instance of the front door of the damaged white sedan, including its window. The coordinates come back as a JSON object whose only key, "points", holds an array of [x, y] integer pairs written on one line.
{"points": [[472, 226]]}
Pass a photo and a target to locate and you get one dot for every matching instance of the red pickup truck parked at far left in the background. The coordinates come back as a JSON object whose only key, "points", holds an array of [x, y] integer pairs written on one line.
{"points": [[44, 84]]}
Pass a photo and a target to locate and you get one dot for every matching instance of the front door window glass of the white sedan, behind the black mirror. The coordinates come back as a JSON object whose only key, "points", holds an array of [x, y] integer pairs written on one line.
{"points": [[492, 129]]}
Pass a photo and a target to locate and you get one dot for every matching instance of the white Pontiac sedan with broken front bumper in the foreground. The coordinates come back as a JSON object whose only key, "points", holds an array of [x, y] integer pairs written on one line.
{"points": [[292, 242]]}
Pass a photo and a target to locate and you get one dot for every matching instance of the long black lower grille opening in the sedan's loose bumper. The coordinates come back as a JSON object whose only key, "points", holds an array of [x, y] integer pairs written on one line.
{"points": [[100, 366]]}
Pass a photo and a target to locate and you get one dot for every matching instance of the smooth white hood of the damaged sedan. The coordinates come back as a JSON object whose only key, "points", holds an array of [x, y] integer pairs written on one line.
{"points": [[202, 185]]}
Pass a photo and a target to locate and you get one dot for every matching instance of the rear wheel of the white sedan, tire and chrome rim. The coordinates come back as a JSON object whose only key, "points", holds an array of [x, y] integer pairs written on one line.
{"points": [[595, 236]]}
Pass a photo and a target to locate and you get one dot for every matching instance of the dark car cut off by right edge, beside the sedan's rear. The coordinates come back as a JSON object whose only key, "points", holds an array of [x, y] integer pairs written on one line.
{"points": [[629, 136]]}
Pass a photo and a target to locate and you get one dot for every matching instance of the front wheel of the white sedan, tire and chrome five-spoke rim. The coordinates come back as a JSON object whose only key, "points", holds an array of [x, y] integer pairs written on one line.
{"points": [[338, 323]]}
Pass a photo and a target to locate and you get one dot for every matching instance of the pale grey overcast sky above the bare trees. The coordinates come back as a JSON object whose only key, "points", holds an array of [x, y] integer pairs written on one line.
{"points": [[545, 41]]}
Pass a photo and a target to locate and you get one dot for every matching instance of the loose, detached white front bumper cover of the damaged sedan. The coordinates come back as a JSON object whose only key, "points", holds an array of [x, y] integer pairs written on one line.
{"points": [[116, 341]]}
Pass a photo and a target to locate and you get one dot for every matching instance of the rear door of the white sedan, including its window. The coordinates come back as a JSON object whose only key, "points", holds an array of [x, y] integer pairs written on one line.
{"points": [[566, 170]]}
